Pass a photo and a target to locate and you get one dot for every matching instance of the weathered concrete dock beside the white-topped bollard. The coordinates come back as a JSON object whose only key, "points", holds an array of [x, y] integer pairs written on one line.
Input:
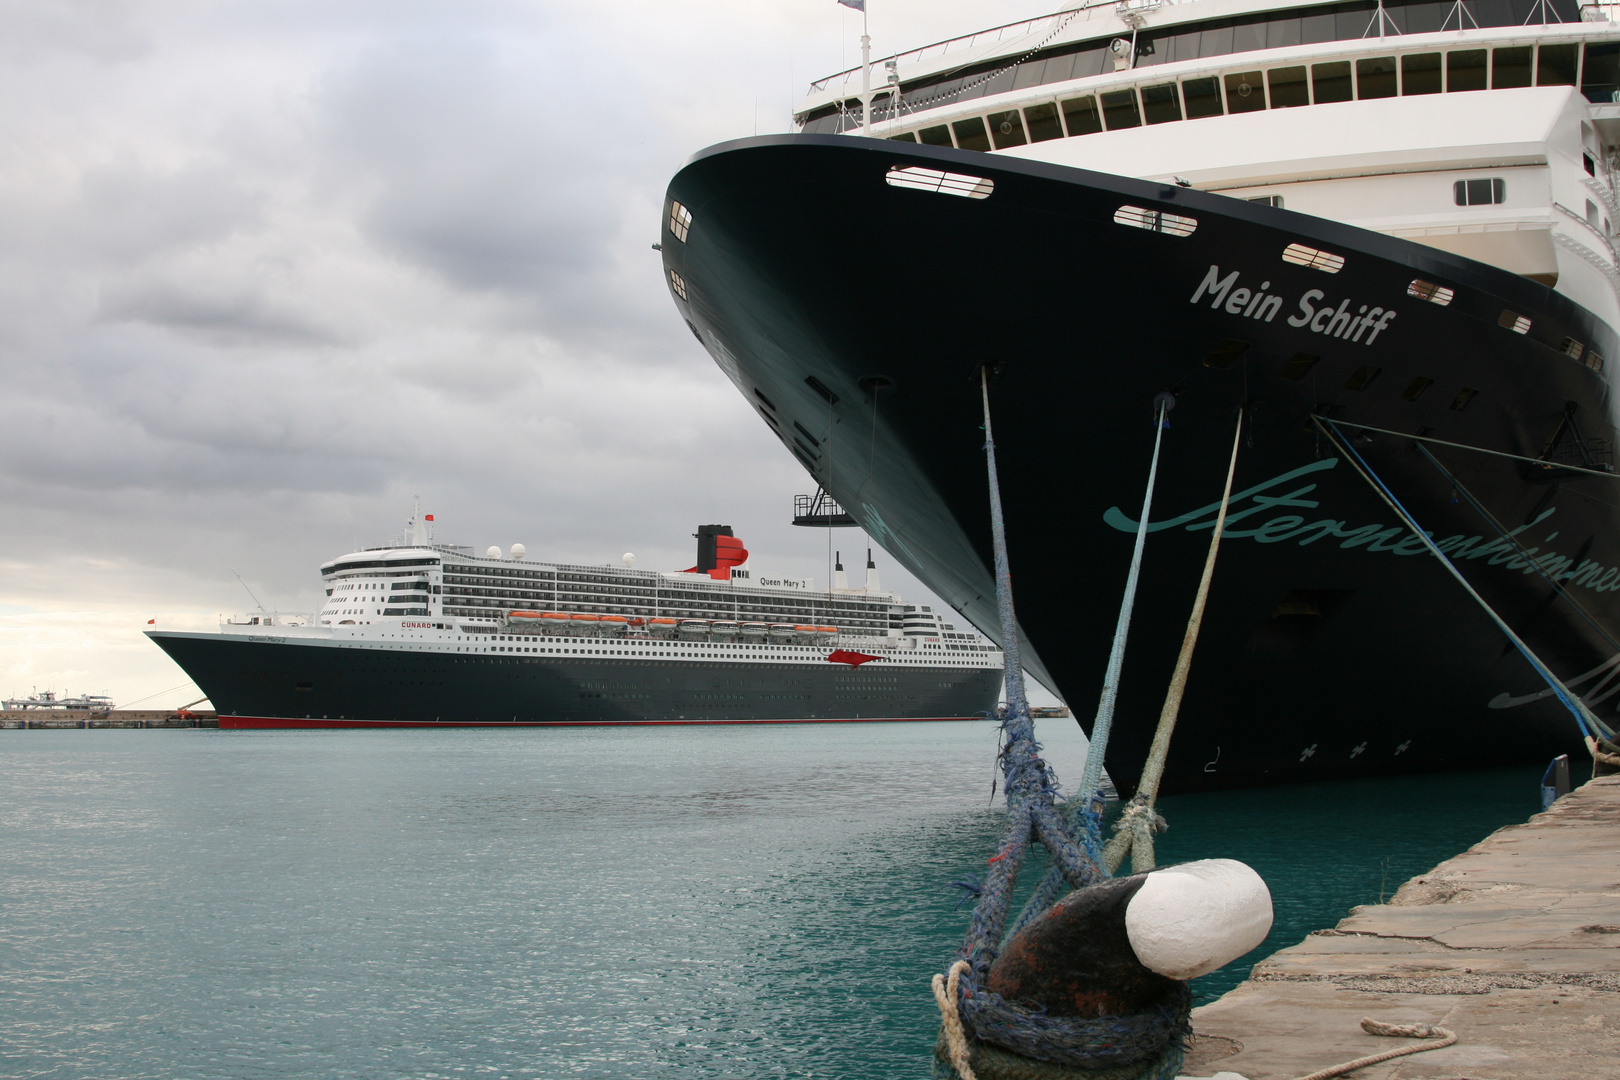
{"points": [[1514, 945]]}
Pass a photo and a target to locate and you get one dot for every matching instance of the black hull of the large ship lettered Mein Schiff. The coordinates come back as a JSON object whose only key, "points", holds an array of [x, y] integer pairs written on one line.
{"points": [[855, 315]]}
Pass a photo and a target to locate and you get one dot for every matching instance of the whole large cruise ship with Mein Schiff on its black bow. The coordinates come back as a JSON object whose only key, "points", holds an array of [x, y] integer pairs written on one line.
{"points": [[1397, 218]]}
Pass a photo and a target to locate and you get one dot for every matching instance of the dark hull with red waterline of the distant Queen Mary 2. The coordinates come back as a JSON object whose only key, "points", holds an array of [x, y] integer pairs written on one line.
{"points": [[258, 682]]}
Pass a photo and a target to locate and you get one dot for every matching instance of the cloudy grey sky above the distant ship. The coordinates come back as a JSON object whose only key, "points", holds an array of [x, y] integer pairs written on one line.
{"points": [[271, 270]]}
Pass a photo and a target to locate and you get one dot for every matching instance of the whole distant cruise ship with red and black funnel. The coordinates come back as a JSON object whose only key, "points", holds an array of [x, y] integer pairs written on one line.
{"points": [[420, 634]]}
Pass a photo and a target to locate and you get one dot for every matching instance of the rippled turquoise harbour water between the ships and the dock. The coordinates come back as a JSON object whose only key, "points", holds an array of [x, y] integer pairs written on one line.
{"points": [[696, 903]]}
